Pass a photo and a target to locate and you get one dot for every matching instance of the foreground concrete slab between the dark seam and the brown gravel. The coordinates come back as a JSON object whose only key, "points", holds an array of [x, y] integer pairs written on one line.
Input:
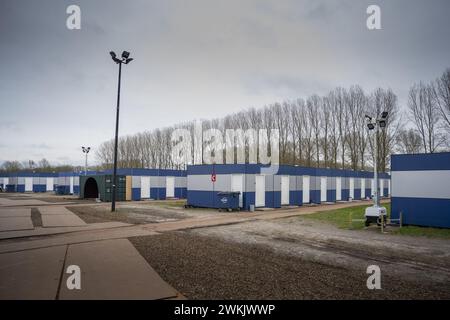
{"points": [[113, 269]]}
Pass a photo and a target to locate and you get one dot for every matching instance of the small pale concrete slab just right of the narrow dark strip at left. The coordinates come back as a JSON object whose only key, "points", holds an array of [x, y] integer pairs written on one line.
{"points": [[59, 216]]}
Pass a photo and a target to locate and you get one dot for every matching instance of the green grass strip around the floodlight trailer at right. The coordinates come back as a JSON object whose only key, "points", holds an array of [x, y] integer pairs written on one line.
{"points": [[341, 219]]}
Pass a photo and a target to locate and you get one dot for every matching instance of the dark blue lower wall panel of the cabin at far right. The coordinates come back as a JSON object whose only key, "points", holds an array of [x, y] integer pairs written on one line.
{"points": [[422, 211]]}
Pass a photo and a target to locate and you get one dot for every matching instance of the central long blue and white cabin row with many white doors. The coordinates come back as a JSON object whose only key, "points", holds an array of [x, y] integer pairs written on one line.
{"points": [[260, 187]]}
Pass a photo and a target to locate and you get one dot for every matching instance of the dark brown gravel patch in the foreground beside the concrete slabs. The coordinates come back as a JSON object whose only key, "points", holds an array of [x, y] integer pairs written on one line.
{"points": [[204, 267]]}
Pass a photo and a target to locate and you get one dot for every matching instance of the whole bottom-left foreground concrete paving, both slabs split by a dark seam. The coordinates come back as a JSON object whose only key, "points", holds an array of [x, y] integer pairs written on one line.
{"points": [[111, 269]]}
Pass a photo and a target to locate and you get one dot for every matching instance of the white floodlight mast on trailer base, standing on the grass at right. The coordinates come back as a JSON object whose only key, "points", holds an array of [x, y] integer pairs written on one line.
{"points": [[376, 213]]}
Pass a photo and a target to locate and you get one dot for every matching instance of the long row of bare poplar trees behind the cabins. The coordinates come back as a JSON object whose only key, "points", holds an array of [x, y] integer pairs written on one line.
{"points": [[321, 131]]}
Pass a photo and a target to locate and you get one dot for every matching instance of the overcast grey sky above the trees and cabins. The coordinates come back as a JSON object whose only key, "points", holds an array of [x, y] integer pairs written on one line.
{"points": [[195, 59]]}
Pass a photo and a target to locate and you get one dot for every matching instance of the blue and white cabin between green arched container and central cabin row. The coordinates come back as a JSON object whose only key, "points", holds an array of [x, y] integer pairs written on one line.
{"points": [[156, 184]]}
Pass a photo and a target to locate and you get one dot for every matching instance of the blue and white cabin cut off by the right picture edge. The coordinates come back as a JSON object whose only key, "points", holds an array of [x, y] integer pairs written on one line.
{"points": [[421, 189]]}
